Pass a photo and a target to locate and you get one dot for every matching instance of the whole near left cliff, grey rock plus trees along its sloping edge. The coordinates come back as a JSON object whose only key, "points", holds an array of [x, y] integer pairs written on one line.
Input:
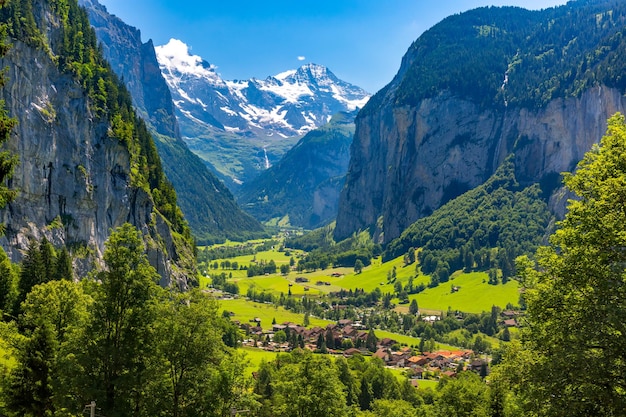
{"points": [[88, 163]]}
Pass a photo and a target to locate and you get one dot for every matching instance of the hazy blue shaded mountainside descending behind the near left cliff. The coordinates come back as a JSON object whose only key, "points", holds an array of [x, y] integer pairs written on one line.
{"points": [[207, 204]]}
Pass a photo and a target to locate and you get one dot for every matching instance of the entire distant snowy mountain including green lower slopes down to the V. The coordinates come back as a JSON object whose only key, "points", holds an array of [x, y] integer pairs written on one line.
{"points": [[242, 127]]}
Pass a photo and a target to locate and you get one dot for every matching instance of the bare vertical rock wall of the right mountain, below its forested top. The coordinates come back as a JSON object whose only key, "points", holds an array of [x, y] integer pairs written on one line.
{"points": [[406, 162]]}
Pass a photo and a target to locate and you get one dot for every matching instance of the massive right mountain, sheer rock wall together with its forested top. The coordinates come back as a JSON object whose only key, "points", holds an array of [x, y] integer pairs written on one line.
{"points": [[429, 136]]}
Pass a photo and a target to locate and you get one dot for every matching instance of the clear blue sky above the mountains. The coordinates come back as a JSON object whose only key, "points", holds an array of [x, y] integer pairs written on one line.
{"points": [[361, 41]]}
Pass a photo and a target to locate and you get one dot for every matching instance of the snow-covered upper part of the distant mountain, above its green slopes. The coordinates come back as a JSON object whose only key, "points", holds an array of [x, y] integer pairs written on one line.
{"points": [[288, 104]]}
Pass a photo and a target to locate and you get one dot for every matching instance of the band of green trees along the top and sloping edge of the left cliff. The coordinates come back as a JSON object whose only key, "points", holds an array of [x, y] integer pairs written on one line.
{"points": [[76, 50]]}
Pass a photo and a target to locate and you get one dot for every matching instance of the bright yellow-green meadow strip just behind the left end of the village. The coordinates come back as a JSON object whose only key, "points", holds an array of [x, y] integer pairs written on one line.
{"points": [[247, 310]]}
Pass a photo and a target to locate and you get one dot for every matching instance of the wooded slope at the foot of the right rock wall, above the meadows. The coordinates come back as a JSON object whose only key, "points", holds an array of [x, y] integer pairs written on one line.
{"points": [[484, 229]]}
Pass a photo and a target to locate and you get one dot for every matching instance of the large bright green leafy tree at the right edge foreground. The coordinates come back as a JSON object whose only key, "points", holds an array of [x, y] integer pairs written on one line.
{"points": [[576, 297]]}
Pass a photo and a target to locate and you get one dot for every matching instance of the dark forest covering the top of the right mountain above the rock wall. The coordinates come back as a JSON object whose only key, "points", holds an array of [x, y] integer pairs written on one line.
{"points": [[500, 57]]}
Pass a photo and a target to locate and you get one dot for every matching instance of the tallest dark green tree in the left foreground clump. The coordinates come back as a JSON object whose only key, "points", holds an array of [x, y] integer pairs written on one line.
{"points": [[118, 339]]}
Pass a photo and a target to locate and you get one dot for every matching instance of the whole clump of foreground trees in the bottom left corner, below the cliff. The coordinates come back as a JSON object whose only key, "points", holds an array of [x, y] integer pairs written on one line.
{"points": [[116, 338]]}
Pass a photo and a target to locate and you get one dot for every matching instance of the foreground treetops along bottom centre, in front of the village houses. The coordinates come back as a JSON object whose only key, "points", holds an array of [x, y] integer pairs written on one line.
{"points": [[305, 384]]}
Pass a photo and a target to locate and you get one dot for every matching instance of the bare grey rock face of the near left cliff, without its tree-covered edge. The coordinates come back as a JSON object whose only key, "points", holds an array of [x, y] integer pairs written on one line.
{"points": [[75, 179]]}
